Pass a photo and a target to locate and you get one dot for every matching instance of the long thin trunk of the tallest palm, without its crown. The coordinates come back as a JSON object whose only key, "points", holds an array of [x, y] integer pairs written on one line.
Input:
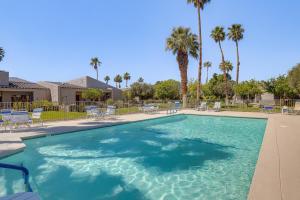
{"points": [[200, 55]]}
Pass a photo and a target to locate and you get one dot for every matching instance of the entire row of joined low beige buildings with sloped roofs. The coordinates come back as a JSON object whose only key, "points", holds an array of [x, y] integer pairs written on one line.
{"points": [[19, 90]]}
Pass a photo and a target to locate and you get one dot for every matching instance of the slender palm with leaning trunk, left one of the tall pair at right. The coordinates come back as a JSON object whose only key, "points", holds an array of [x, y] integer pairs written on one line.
{"points": [[218, 35]]}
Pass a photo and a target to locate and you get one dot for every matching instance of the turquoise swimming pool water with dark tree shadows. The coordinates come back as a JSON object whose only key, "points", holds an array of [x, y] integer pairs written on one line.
{"points": [[179, 157]]}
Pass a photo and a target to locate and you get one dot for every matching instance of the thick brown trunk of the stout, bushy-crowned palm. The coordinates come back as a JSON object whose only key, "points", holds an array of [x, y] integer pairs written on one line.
{"points": [[182, 59]]}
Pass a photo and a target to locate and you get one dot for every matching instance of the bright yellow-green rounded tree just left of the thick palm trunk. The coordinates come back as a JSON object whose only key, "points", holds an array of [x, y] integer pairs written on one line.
{"points": [[167, 90]]}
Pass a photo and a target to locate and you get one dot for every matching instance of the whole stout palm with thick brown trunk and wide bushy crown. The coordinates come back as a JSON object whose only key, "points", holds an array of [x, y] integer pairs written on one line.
{"points": [[183, 43]]}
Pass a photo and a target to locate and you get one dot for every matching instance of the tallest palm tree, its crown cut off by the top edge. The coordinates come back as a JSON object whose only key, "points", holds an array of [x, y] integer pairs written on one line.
{"points": [[199, 4]]}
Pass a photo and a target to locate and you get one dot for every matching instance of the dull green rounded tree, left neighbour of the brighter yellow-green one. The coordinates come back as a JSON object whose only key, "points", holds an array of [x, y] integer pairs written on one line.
{"points": [[142, 90]]}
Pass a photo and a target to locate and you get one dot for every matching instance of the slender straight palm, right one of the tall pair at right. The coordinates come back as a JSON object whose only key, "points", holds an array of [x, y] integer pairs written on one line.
{"points": [[236, 34]]}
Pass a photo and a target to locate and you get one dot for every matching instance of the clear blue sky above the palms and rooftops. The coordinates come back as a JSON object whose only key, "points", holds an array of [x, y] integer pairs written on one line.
{"points": [[55, 39]]}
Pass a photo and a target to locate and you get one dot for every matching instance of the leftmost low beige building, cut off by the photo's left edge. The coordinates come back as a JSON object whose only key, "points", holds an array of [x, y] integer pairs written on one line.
{"points": [[18, 90]]}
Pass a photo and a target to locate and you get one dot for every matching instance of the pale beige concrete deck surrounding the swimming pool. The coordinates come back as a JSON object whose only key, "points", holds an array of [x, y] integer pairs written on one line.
{"points": [[277, 173]]}
